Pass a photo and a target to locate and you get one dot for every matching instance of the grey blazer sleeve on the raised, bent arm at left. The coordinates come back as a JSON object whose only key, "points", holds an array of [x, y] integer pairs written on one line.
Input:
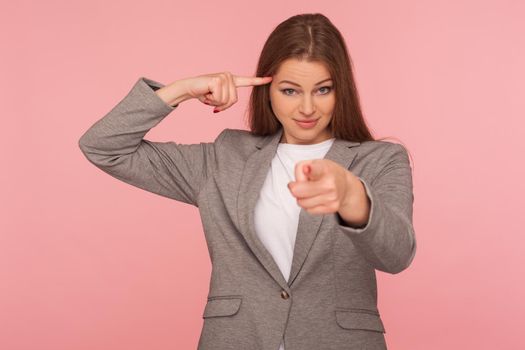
{"points": [[116, 145]]}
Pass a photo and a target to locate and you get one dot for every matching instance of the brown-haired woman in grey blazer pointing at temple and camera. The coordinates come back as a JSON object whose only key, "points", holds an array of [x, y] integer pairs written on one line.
{"points": [[298, 212]]}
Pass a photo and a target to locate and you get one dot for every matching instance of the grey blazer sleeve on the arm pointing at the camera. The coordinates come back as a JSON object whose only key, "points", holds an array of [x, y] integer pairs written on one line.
{"points": [[388, 239]]}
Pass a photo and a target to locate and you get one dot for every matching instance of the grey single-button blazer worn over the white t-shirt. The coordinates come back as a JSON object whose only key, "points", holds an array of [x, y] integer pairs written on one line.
{"points": [[330, 298]]}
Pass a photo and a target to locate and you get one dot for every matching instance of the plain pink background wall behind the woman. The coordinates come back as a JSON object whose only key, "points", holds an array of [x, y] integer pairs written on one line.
{"points": [[88, 262]]}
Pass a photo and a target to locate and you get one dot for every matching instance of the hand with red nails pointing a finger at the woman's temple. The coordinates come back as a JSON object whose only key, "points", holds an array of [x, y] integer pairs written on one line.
{"points": [[220, 89]]}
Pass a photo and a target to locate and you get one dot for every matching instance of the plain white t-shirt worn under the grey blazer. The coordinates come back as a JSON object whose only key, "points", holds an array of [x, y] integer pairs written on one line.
{"points": [[277, 212]]}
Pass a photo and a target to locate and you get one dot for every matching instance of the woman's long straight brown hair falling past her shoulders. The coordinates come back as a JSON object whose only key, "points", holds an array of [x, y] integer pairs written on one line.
{"points": [[310, 37]]}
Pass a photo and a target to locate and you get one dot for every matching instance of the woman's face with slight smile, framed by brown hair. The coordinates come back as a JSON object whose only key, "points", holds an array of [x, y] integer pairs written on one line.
{"points": [[302, 91]]}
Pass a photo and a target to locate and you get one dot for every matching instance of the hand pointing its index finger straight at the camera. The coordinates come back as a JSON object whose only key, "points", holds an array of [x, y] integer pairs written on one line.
{"points": [[322, 186]]}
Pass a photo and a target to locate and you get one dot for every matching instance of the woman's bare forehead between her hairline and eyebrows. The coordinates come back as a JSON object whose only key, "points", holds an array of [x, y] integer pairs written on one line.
{"points": [[302, 71]]}
